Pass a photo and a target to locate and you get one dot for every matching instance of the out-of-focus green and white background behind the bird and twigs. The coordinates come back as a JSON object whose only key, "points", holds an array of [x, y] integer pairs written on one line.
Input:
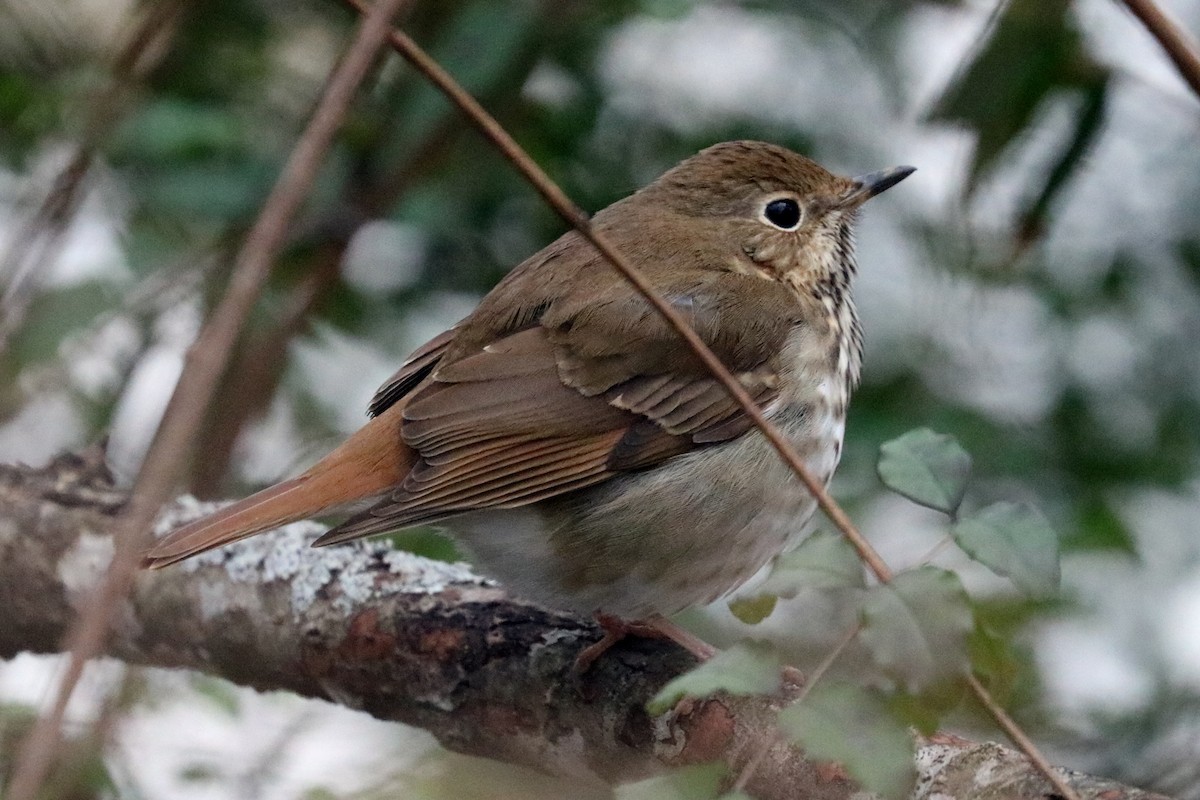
{"points": [[1034, 291]]}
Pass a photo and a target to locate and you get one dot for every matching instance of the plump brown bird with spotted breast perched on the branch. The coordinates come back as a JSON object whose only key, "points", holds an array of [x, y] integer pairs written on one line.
{"points": [[571, 440]]}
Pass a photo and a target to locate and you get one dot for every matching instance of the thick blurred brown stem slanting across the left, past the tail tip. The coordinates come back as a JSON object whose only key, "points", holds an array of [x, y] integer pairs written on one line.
{"points": [[206, 363]]}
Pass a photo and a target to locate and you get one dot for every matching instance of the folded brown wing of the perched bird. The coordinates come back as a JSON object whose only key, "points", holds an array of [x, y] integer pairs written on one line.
{"points": [[559, 407]]}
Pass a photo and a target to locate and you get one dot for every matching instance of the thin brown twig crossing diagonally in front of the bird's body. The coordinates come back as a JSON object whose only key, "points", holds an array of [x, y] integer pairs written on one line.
{"points": [[559, 201]]}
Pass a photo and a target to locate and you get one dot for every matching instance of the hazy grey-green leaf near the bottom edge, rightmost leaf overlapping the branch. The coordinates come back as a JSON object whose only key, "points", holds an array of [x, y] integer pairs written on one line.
{"points": [[855, 729]]}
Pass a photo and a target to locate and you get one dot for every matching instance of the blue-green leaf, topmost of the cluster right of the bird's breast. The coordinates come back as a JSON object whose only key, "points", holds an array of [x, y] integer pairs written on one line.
{"points": [[928, 468]]}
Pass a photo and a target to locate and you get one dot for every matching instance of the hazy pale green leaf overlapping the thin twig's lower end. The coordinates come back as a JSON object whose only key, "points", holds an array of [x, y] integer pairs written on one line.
{"points": [[916, 628]]}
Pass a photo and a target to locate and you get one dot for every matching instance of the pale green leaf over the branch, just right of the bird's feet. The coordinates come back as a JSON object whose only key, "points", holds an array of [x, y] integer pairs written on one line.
{"points": [[746, 669]]}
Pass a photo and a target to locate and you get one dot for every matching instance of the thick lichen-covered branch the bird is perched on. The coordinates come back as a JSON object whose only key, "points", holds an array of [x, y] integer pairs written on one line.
{"points": [[419, 642]]}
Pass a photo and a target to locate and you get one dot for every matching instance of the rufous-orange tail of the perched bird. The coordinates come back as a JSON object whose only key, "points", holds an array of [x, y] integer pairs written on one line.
{"points": [[367, 466]]}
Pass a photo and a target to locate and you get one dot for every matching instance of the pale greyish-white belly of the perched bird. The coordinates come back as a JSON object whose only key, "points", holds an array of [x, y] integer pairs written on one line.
{"points": [[685, 533]]}
